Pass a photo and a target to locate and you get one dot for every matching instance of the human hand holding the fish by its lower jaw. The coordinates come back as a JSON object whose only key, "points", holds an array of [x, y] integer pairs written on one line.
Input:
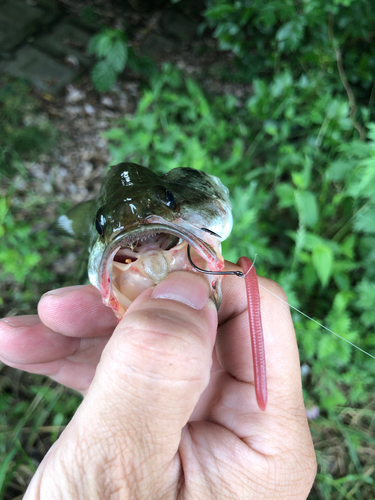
{"points": [[162, 416]]}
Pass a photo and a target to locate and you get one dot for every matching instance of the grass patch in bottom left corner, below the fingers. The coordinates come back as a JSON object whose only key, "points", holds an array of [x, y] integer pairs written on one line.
{"points": [[33, 413]]}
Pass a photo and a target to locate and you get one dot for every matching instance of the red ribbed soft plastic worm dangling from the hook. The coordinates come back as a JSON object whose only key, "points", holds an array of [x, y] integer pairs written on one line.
{"points": [[256, 331]]}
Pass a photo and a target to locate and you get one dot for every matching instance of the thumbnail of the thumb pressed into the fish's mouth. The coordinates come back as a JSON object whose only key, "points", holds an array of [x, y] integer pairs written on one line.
{"points": [[184, 287]]}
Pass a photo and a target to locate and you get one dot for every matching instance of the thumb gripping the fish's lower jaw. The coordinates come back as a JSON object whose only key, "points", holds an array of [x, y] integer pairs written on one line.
{"points": [[157, 363]]}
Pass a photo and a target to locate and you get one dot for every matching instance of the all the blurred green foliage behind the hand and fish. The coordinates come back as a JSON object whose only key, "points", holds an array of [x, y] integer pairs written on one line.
{"points": [[298, 155]]}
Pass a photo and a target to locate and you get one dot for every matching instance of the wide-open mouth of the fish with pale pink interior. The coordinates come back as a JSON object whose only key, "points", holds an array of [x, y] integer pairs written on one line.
{"points": [[143, 256]]}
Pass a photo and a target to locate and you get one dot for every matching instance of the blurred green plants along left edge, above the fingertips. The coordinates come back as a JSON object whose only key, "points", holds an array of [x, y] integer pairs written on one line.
{"points": [[27, 251]]}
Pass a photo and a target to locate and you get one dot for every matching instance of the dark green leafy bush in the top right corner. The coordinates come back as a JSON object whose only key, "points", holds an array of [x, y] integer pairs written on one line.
{"points": [[305, 37]]}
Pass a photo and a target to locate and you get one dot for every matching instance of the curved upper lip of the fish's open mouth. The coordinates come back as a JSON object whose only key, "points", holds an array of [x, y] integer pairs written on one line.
{"points": [[149, 226]]}
